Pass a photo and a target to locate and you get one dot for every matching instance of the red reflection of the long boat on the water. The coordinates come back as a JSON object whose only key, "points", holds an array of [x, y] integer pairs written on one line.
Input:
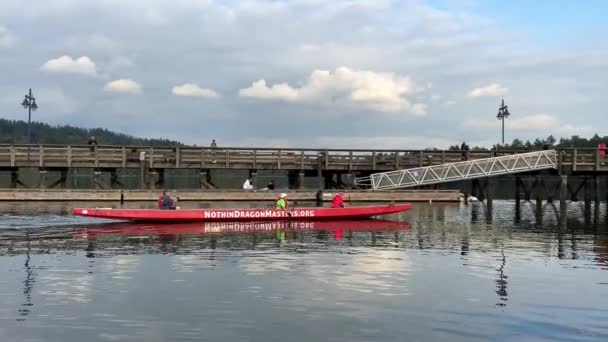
{"points": [[338, 227]]}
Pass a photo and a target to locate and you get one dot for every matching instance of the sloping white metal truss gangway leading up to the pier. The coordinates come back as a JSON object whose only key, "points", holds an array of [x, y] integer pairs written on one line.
{"points": [[503, 165]]}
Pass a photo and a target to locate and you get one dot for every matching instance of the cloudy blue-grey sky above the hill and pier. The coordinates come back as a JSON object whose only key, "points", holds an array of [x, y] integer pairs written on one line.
{"points": [[307, 73]]}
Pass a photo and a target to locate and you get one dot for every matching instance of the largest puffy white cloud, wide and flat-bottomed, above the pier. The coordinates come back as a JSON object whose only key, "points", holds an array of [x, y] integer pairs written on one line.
{"points": [[377, 91]]}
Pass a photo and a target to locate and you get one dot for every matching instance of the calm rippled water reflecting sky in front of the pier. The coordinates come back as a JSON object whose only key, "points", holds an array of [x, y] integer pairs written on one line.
{"points": [[442, 273]]}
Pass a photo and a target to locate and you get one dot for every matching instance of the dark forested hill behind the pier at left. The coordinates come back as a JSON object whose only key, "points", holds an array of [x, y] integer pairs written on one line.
{"points": [[15, 132]]}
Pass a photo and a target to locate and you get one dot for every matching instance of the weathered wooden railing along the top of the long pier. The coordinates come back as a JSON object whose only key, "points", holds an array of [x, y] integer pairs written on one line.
{"points": [[61, 156]]}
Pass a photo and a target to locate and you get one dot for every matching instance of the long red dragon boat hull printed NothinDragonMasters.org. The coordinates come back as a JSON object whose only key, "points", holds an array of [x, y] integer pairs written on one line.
{"points": [[226, 215]]}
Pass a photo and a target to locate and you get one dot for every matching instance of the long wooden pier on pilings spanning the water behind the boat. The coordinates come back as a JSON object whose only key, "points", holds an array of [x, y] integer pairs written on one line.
{"points": [[328, 166]]}
